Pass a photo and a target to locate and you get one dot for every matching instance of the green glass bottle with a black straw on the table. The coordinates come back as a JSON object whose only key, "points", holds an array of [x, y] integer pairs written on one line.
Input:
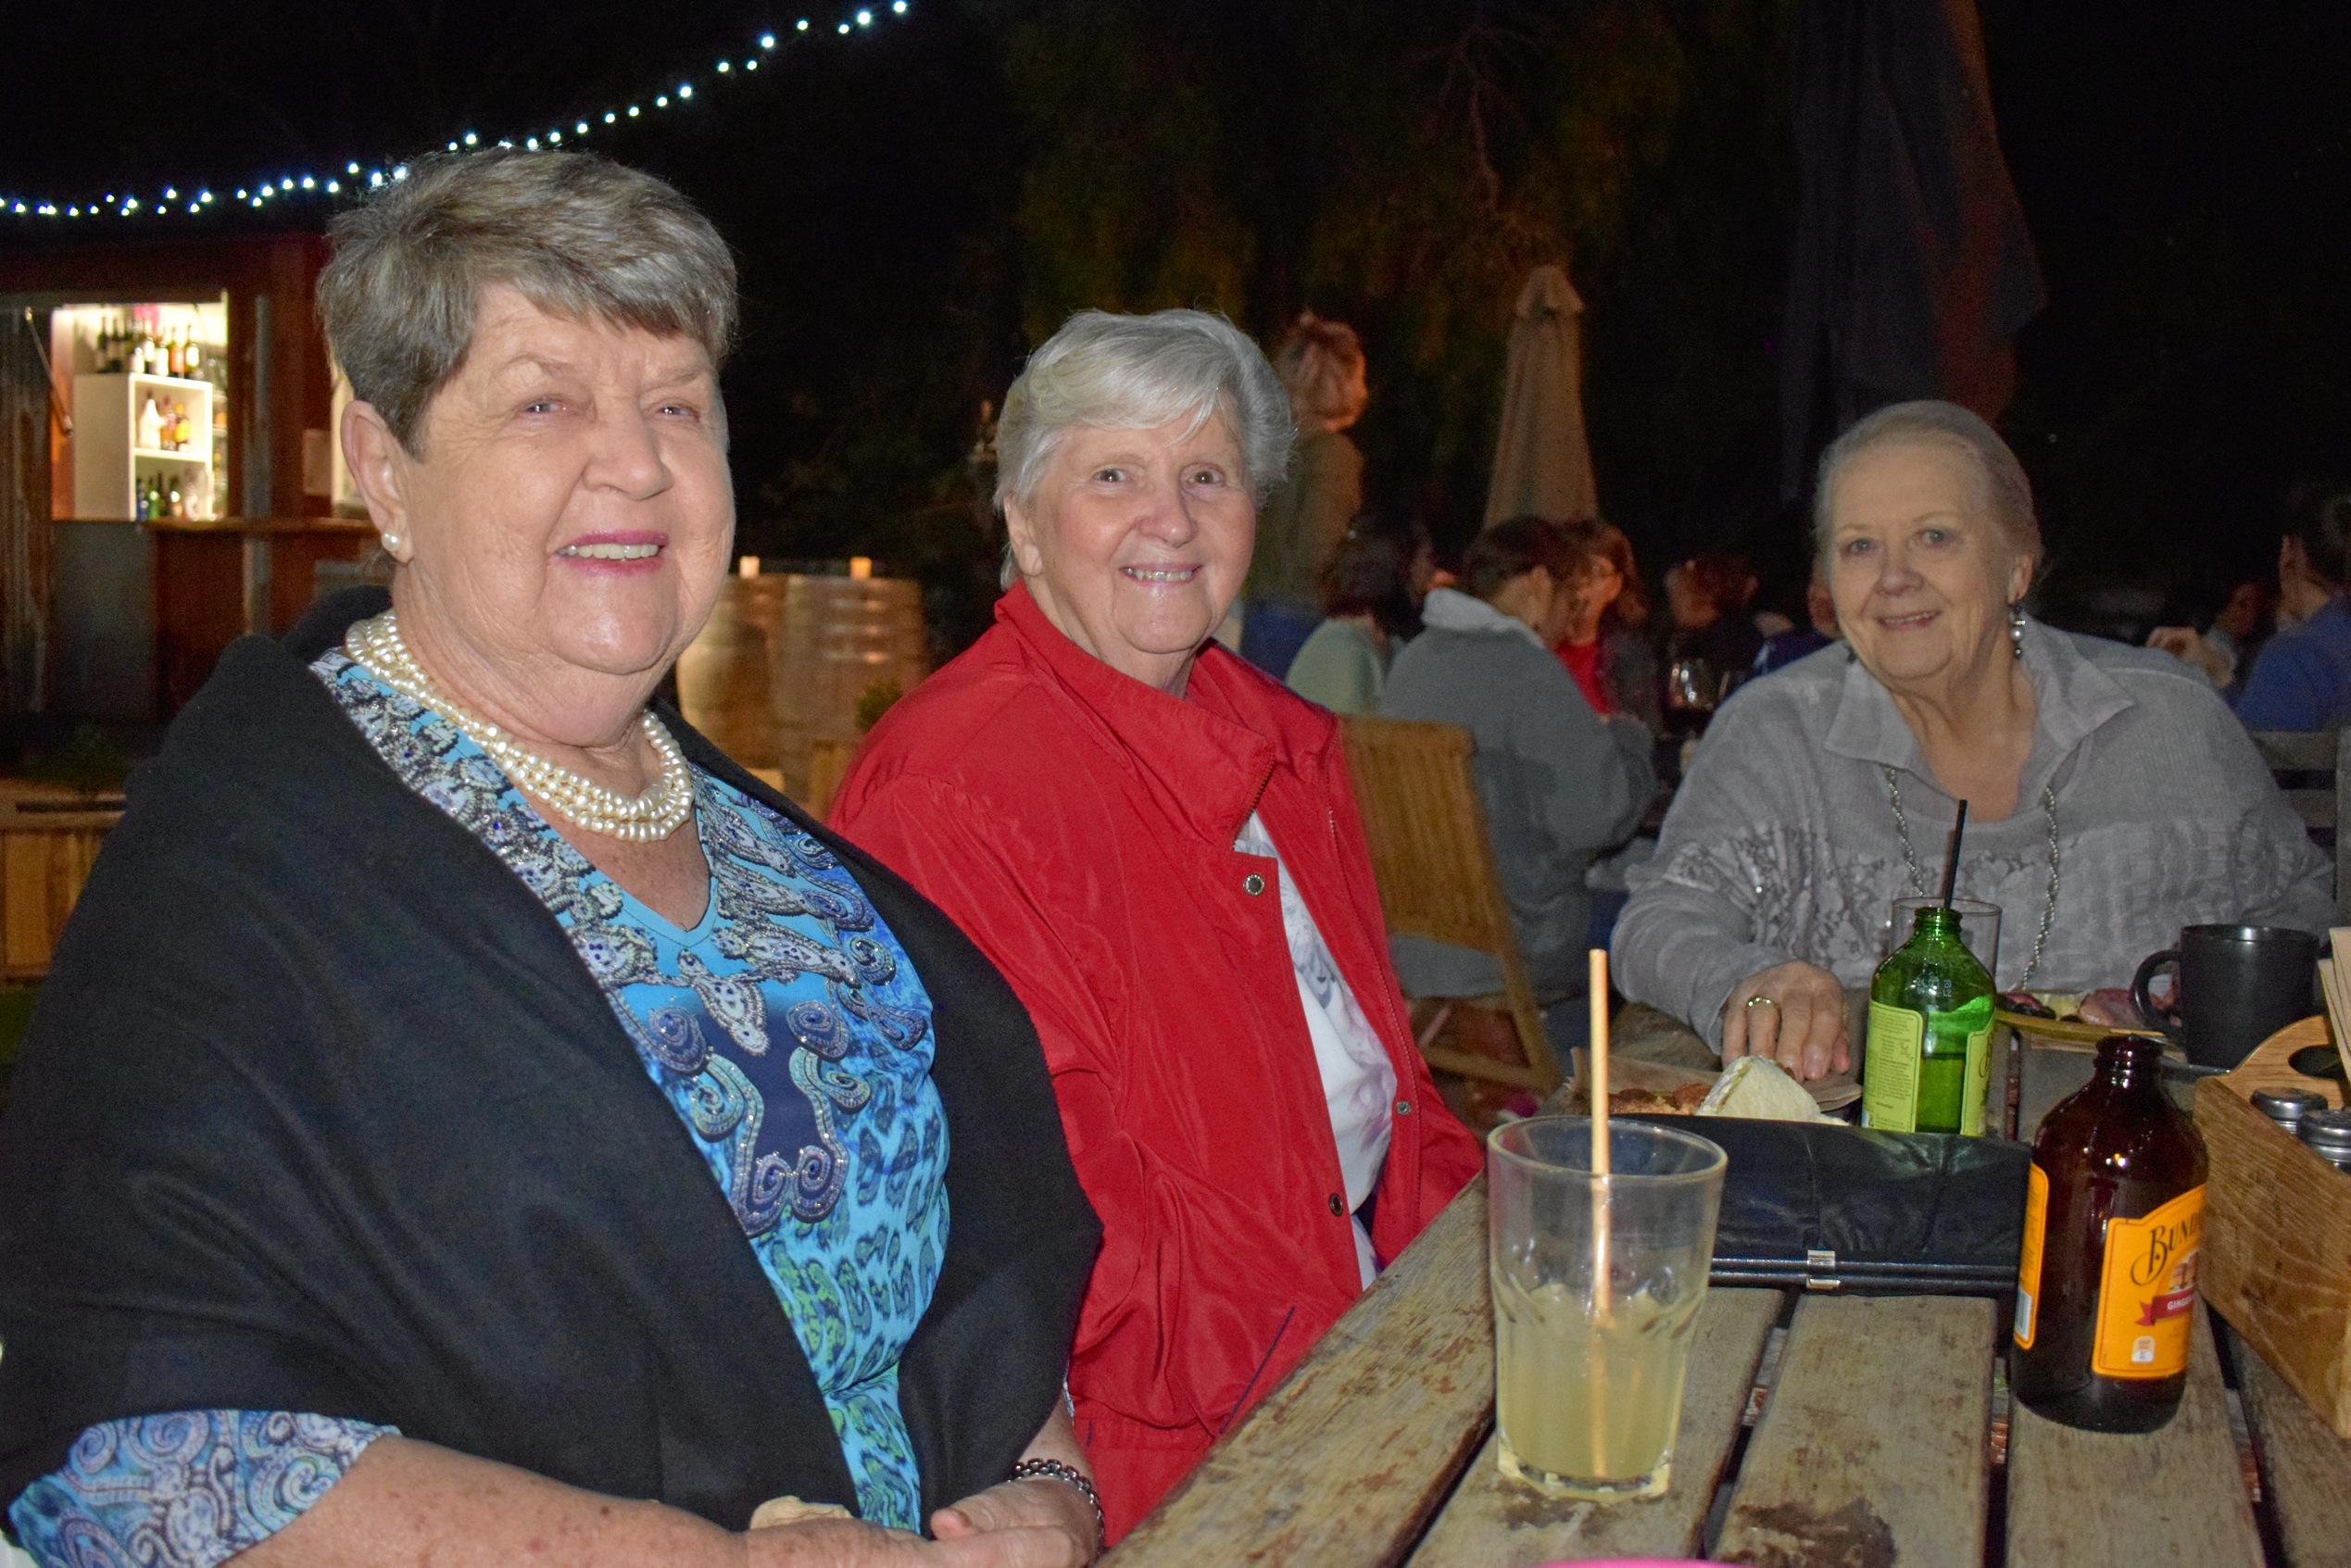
{"points": [[1929, 1050]]}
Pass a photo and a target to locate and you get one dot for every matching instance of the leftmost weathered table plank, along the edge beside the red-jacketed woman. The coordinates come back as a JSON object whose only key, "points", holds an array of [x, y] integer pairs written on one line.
{"points": [[1362, 1442]]}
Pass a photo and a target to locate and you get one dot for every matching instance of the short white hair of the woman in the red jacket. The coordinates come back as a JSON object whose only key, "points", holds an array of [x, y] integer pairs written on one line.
{"points": [[1137, 373]]}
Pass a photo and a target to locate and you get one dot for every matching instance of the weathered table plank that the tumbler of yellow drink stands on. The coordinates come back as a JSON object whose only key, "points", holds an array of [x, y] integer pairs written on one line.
{"points": [[1494, 1525]]}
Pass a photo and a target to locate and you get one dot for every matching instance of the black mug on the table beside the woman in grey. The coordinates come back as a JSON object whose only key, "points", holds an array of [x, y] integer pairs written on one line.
{"points": [[2237, 989]]}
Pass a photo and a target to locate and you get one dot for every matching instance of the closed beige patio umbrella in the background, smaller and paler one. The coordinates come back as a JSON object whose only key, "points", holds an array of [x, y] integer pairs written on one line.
{"points": [[1541, 457]]}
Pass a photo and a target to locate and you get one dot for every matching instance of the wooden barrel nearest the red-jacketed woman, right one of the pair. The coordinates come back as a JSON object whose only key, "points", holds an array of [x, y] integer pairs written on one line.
{"points": [[840, 641]]}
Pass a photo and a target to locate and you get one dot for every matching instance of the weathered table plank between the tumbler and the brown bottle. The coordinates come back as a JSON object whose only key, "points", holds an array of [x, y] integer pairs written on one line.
{"points": [[1875, 1447]]}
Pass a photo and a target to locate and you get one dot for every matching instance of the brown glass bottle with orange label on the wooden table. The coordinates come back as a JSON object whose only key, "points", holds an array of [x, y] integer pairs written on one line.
{"points": [[2108, 1282]]}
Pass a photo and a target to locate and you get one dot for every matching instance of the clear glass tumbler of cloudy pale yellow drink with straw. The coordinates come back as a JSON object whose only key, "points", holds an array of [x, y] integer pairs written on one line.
{"points": [[1598, 1285]]}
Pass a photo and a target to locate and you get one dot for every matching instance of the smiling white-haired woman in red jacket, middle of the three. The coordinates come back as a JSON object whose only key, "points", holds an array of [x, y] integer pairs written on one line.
{"points": [[1160, 850]]}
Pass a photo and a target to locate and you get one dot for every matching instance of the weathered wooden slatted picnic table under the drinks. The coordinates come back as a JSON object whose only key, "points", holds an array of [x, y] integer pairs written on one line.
{"points": [[1877, 1447]]}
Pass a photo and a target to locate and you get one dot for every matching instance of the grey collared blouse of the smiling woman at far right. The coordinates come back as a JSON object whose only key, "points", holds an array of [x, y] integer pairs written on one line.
{"points": [[1783, 840]]}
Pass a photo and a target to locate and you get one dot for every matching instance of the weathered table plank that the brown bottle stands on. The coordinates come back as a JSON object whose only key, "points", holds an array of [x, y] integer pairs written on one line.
{"points": [[2096, 1499]]}
